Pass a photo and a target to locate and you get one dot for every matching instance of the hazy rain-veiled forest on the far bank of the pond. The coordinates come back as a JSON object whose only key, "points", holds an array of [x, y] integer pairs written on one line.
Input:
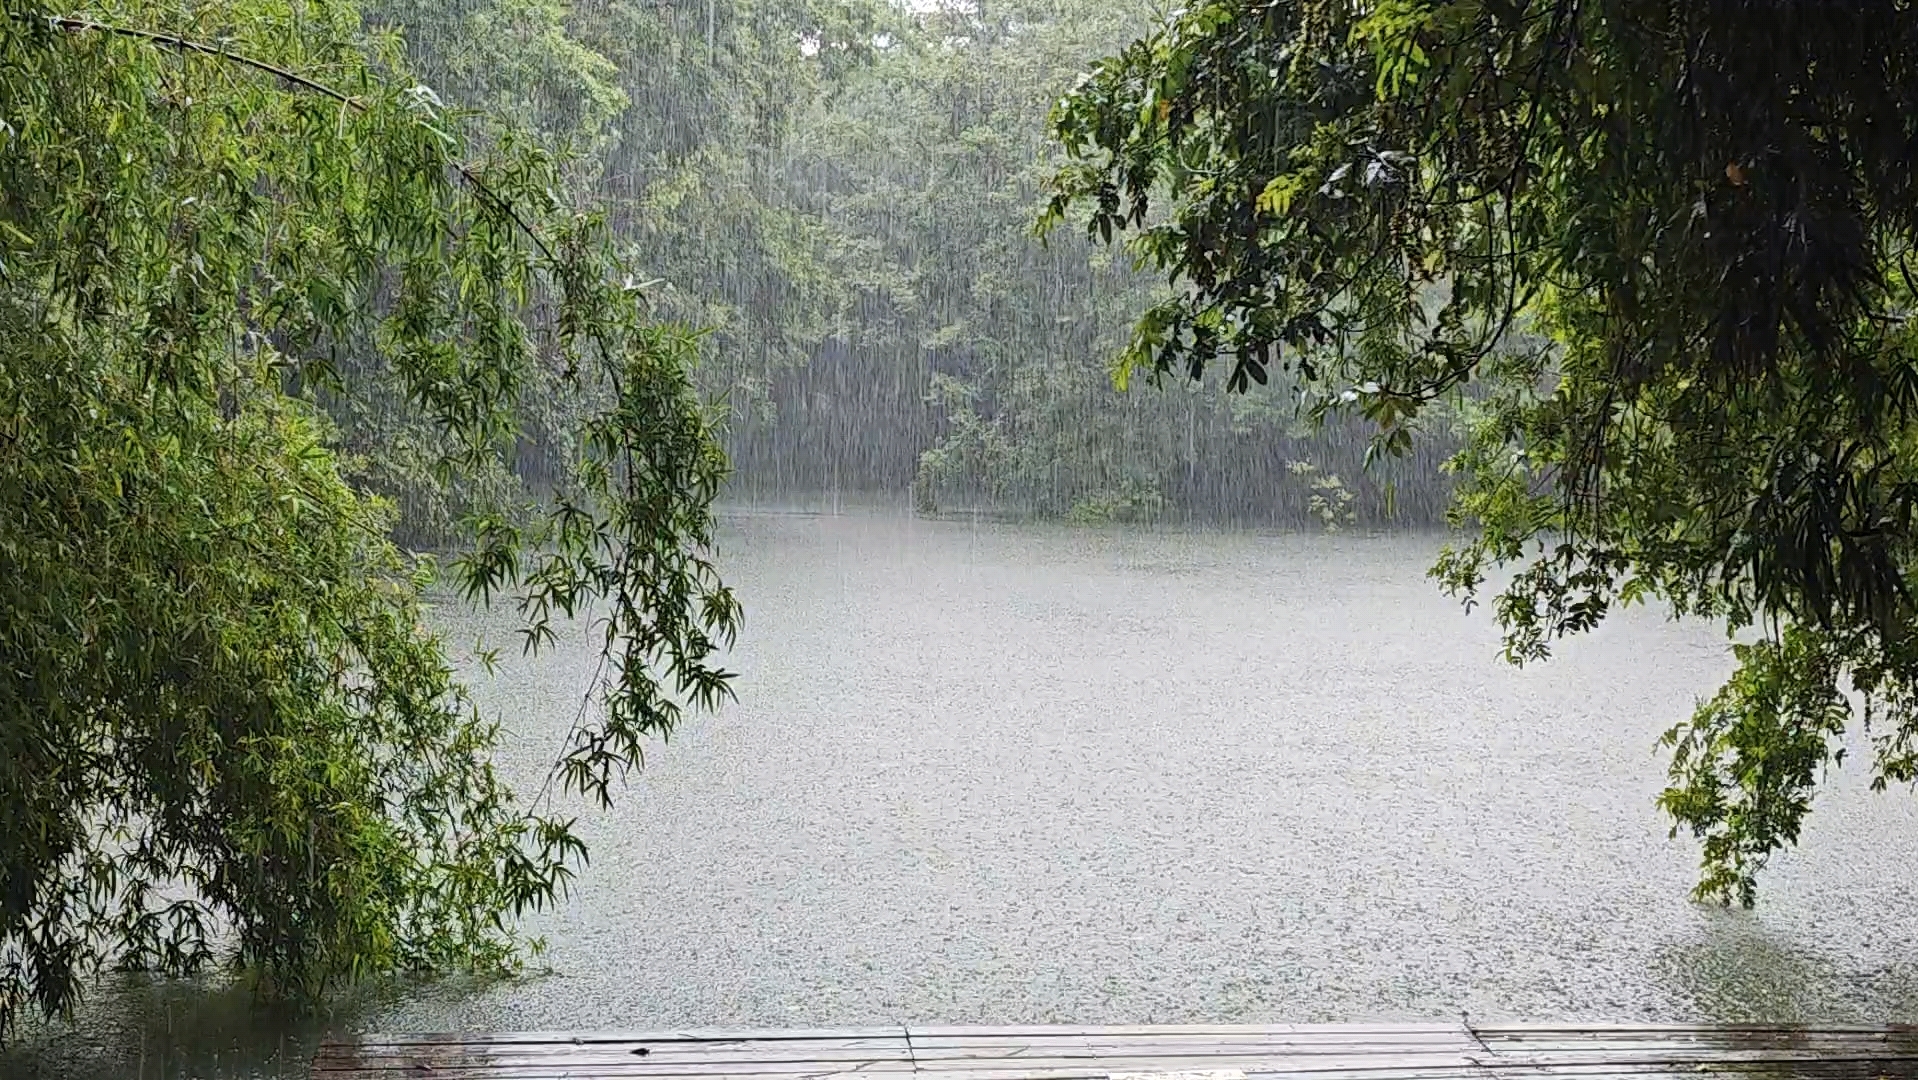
{"points": [[843, 195]]}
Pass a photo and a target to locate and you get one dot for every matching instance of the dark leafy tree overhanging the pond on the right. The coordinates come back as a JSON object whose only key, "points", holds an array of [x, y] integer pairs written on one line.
{"points": [[1664, 245]]}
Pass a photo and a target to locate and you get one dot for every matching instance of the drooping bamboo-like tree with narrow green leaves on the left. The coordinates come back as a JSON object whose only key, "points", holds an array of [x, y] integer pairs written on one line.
{"points": [[225, 730]]}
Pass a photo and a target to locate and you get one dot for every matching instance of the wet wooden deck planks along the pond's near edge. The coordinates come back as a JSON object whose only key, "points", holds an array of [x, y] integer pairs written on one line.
{"points": [[1179, 1052]]}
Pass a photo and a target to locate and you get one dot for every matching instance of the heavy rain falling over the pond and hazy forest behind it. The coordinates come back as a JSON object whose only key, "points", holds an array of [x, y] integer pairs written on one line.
{"points": [[1069, 690]]}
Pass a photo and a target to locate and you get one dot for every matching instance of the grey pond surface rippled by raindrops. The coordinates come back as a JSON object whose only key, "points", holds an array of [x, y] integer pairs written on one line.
{"points": [[994, 774]]}
